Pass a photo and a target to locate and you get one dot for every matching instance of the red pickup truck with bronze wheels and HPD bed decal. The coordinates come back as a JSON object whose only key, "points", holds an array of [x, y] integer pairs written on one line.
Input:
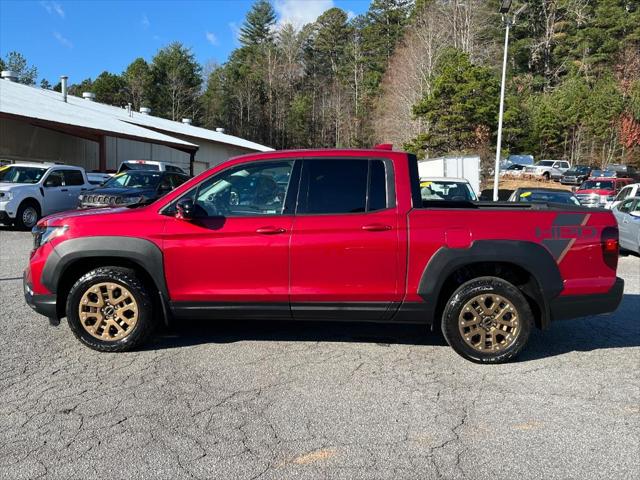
{"points": [[324, 235]]}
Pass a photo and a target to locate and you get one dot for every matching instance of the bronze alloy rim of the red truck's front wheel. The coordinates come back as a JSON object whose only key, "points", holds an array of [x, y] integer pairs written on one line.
{"points": [[108, 311]]}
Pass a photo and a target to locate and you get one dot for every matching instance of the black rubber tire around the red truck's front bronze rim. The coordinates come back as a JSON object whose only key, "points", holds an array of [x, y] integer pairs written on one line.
{"points": [[123, 277]]}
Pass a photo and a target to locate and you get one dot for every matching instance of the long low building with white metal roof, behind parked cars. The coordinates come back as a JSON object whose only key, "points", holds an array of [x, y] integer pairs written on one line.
{"points": [[43, 125]]}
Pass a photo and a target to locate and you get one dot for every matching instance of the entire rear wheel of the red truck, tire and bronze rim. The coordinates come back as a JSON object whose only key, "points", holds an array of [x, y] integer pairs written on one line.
{"points": [[487, 320]]}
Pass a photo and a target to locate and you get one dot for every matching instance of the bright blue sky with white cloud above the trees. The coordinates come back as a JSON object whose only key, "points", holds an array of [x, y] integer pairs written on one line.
{"points": [[83, 38]]}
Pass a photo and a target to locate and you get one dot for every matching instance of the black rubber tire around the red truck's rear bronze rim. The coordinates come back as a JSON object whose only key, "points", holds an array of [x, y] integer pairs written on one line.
{"points": [[472, 289]]}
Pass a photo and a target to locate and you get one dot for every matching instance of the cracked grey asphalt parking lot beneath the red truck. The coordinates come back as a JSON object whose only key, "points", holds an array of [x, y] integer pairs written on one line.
{"points": [[280, 400]]}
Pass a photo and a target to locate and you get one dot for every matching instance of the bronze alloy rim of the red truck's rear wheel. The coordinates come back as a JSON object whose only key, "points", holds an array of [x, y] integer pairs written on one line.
{"points": [[489, 323]]}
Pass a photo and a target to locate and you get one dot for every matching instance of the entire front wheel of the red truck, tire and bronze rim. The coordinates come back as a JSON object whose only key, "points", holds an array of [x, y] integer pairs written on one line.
{"points": [[109, 310]]}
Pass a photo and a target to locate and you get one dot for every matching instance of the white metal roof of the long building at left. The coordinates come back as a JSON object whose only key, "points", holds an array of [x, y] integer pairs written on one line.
{"points": [[47, 105]]}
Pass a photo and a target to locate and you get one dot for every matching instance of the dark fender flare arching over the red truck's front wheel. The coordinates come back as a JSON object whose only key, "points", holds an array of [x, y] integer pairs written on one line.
{"points": [[144, 253]]}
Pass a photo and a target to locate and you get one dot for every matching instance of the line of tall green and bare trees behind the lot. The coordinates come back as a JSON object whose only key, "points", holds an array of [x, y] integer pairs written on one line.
{"points": [[421, 74]]}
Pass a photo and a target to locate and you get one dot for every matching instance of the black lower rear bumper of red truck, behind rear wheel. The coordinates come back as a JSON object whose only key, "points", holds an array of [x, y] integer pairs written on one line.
{"points": [[574, 306]]}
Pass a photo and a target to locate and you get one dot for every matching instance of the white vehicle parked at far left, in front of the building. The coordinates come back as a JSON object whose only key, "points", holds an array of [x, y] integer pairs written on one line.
{"points": [[29, 191]]}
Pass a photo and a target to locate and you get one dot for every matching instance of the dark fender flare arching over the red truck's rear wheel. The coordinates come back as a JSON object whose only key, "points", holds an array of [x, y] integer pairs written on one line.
{"points": [[531, 257]]}
